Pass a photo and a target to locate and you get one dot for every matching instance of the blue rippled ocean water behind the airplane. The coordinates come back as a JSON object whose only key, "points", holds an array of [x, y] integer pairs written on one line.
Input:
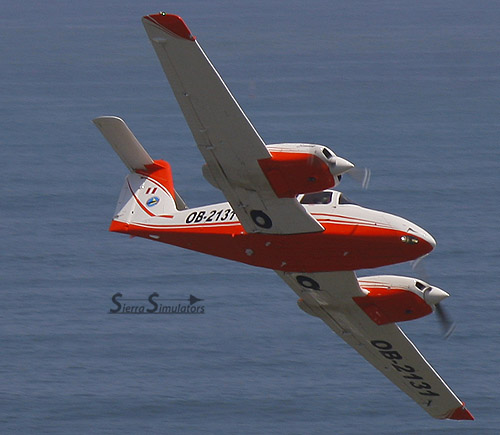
{"points": [[408, 89]]}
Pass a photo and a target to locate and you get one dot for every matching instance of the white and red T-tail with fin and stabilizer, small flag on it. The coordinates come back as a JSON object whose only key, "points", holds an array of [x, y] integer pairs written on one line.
{"points": [[149, 188]]}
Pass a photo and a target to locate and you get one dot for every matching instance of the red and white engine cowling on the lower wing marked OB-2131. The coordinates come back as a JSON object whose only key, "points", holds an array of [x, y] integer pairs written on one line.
{"points": [[391, 299]]}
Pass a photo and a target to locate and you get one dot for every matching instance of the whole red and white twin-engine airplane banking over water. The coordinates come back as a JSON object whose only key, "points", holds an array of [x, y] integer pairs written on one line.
{"points": [[282, 214]]}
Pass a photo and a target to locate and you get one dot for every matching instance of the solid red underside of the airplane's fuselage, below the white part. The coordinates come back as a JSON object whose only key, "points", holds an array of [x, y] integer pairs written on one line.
{"points": [[339, 247]]}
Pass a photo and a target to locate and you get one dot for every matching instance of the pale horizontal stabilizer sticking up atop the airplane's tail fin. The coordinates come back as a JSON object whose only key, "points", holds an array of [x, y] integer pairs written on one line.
{"points": [[123, 142]]}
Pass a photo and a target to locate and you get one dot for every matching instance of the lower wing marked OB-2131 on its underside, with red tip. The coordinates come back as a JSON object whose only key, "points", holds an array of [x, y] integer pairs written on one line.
{"points": [[329, 296]]}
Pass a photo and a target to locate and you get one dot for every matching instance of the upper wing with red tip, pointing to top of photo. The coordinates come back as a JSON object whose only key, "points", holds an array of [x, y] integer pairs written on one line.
{"points": [[226, 138]]}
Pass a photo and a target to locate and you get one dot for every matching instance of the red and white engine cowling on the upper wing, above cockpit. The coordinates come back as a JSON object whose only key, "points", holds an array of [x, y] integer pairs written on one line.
{"points": [[296, 168]]}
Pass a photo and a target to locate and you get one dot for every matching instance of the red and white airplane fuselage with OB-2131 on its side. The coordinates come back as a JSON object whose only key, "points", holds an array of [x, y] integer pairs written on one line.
{"points": [[354, 238]]}
